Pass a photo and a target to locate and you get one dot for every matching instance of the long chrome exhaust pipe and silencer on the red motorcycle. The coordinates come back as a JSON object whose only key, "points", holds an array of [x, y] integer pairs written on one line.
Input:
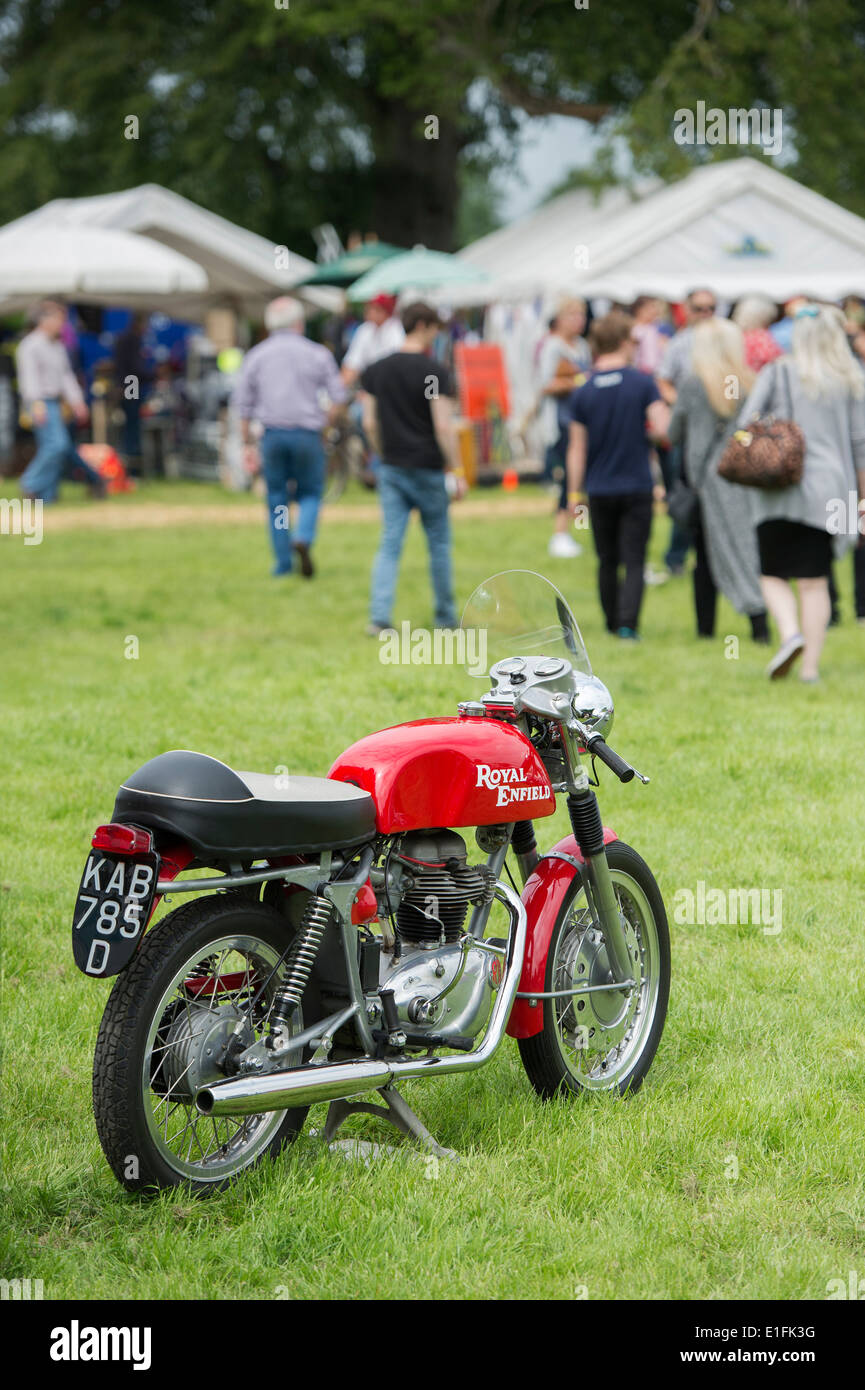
{"points": [[340, 1081]]}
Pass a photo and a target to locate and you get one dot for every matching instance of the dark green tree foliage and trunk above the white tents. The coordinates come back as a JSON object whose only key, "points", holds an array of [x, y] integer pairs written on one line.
{"points": [[322, 112]]}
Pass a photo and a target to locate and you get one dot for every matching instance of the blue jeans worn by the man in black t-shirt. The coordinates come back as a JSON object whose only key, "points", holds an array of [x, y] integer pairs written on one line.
{"points": [[401, 491]]}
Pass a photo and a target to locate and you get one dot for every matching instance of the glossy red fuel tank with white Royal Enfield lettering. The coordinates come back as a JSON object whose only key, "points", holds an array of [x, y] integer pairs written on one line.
{"points": [[448, 772]]}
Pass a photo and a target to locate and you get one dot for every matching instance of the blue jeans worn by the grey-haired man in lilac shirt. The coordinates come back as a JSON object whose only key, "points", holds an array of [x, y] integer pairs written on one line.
{"points": [[293, 457]]}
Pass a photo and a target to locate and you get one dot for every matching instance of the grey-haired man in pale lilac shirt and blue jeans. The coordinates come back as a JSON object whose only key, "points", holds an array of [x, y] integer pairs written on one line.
{"points": [[280, 387]]}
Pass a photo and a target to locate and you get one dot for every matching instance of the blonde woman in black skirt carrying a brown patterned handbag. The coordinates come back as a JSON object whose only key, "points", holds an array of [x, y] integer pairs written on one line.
{"points": [[799, 529]]}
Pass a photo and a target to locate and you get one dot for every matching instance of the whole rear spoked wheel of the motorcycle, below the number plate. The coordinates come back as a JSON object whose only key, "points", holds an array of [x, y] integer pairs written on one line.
{"points": [[207, 968]]}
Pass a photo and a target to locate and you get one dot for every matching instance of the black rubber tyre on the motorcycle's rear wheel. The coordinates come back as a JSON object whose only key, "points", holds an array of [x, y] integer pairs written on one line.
{"points": [[124, 1124]]}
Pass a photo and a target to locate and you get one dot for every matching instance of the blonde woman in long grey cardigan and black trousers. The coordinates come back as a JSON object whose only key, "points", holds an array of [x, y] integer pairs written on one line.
{"points": [[704, 419]]}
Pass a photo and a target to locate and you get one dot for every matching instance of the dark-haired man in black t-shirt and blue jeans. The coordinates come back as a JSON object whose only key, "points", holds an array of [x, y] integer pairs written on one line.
{"points": [[408, 414]]}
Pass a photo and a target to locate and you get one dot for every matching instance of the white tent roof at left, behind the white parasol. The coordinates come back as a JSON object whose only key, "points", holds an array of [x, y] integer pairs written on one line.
{"points": [[244, 270]]}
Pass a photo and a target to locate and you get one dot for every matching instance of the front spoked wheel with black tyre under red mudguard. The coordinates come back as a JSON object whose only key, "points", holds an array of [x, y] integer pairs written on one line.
{"points": [[557, 1068]]}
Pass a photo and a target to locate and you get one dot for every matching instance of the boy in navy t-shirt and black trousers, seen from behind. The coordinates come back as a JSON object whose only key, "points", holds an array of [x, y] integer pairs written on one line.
{"points": [[608, 459]]}
